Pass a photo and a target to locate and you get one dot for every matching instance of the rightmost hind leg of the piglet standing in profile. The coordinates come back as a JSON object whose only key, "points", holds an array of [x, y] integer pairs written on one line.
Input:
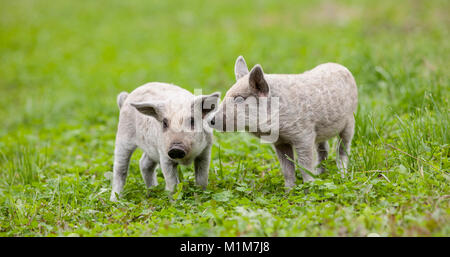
{"points": [[343, 148]]}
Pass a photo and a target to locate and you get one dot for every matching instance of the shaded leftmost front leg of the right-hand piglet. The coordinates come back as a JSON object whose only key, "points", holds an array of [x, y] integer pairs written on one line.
{"points": [[285, 155]]}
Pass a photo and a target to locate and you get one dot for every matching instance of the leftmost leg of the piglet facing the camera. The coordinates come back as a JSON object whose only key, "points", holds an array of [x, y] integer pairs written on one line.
{"points": [[122, 155]]}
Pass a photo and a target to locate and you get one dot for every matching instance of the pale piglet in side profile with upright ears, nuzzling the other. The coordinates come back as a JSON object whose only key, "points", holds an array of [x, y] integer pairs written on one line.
{"points": [[310, 108]]}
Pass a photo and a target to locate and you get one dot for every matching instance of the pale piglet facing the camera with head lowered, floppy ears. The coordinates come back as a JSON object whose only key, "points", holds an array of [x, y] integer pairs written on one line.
{"points": [[167, 123]]}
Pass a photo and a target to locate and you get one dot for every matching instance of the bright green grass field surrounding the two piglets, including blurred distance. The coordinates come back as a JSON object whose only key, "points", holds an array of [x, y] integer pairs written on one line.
{"points": [[62, 63]]}
